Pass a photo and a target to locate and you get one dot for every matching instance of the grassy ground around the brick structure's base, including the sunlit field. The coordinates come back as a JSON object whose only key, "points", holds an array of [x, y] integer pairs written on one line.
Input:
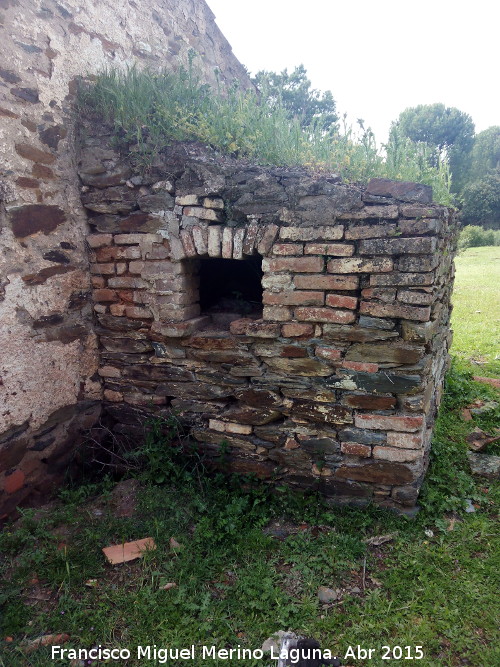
{"points": [[434, 584]]}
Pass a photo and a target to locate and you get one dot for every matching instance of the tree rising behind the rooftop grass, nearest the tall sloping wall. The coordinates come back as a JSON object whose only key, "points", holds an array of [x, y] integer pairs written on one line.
{"points": [[293, 91]]}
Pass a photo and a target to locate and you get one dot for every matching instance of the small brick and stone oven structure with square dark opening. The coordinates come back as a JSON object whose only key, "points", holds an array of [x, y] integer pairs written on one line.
{"points": [[335, 384]]}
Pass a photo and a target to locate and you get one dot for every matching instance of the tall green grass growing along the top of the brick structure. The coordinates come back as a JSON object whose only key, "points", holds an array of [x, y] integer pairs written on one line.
{"points": [[150, 109]]}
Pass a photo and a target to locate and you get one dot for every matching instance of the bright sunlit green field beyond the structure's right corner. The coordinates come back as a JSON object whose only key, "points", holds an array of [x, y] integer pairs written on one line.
{"points": [[476, 309]]}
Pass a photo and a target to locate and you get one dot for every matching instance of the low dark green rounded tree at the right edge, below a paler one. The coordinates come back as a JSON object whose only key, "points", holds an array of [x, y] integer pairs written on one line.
{"points": [[482, 201]]}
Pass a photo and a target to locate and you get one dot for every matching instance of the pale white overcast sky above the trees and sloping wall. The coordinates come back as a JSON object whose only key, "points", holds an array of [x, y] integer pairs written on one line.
{"points": [[377, 57]]}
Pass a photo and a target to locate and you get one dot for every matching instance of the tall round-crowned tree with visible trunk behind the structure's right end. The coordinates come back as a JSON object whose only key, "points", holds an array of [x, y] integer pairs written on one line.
{"points": [[447, 129]]}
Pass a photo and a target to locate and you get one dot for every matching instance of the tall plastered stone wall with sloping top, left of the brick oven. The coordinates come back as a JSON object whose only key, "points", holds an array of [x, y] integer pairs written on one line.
{"points": [[49, 388]]}
